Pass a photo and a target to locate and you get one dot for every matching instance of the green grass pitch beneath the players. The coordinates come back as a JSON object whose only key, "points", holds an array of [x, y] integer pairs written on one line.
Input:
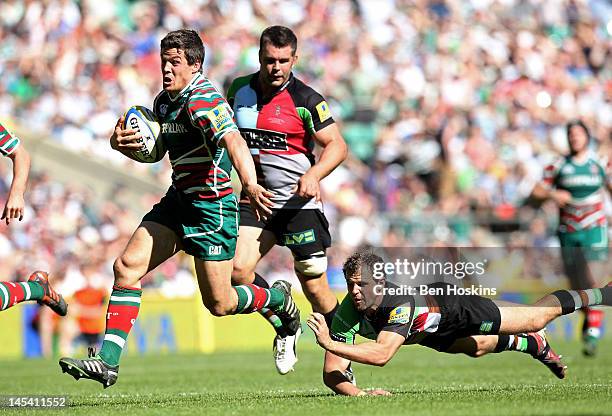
{"points": [[423, 382]]}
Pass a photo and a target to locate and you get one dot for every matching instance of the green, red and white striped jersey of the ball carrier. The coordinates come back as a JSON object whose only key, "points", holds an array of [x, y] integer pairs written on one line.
{"points": [[192, 124]]}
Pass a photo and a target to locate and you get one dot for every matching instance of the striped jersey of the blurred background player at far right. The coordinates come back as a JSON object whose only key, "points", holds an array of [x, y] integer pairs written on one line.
{"points": [[586, 183]]}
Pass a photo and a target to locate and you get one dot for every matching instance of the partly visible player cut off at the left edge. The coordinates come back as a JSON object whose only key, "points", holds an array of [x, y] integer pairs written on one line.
{"points": [[37, 287]]}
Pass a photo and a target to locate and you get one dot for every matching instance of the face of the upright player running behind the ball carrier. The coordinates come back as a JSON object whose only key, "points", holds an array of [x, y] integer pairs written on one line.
{"points": [[275, 65]]}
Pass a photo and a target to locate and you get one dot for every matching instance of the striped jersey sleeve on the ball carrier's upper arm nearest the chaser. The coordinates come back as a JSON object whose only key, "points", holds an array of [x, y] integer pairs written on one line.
{"points": [[211, 113]]}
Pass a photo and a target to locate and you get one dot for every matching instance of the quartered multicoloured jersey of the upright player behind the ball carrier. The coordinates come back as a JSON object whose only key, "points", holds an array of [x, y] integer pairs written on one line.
{"points": [[279, 133]]}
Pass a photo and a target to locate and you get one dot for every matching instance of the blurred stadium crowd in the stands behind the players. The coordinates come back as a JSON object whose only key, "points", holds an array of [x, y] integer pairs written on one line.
{"points": [[450, 108]]}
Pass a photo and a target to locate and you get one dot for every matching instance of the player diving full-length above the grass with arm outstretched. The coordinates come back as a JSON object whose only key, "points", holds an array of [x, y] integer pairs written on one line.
{"points": [[471, 325]]}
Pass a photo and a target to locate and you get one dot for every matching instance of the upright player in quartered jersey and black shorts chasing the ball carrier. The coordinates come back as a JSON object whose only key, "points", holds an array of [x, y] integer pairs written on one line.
{"points": [[282, 118]]}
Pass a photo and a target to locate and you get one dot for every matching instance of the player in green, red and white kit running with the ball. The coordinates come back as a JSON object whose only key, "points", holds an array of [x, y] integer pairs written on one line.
{"points": [[198, 214]]}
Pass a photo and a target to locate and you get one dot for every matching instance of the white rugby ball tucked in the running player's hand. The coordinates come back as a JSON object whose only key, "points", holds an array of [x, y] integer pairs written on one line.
{"points": [[142, 119]]}
